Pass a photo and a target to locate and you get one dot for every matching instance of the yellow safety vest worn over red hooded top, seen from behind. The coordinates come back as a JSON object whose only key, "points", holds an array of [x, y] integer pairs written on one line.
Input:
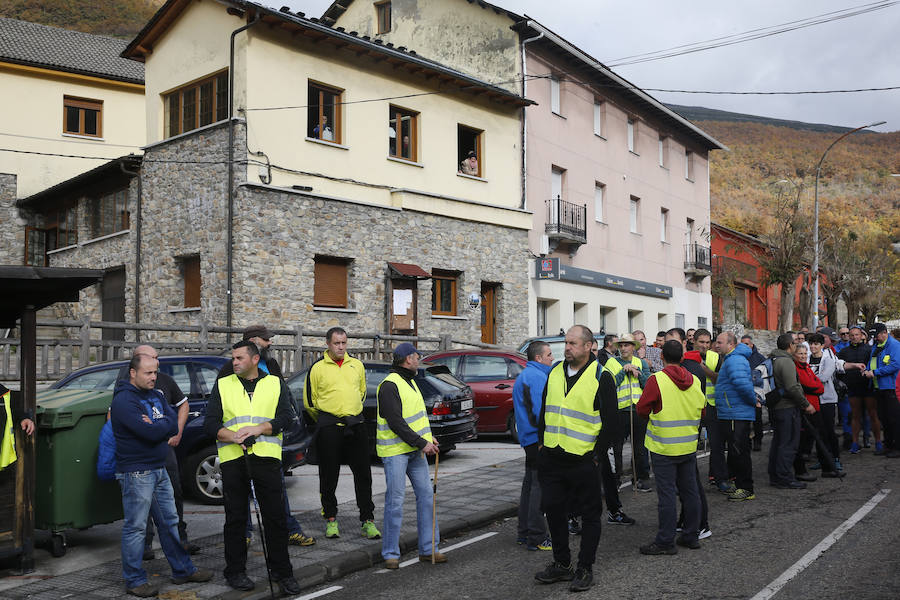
{"points": [[673, 430]]}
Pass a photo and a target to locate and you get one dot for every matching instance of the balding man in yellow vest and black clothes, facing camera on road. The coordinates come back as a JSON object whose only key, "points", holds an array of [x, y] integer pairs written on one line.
{"points": [[578, 415]]}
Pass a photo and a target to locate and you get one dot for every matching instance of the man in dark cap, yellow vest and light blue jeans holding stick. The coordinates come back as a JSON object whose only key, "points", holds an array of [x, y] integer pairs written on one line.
{"points": [[403, 439]]}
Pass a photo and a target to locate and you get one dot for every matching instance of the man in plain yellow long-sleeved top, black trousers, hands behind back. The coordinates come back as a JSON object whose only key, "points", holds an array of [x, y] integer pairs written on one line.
{"points": [[334, 393]]}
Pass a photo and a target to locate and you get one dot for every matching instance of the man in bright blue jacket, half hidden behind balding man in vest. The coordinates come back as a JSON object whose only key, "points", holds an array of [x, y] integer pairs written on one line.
{"points": [[527, 402]]}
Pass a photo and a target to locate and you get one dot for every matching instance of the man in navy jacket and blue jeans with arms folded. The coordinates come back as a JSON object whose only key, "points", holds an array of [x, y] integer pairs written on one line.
{"points": [[143, 422]]}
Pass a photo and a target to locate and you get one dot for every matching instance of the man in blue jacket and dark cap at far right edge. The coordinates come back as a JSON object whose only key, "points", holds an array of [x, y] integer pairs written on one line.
{"points": [[883, 367]]}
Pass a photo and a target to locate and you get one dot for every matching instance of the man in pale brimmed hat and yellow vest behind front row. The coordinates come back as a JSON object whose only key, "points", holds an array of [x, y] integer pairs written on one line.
{"points": [[630, 373]]}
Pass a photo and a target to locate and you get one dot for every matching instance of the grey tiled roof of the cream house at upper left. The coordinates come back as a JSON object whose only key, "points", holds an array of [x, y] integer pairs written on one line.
{"points": [[31, 44]]}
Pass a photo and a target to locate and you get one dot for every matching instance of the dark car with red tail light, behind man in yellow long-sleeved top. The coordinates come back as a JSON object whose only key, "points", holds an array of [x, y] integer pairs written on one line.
{"points": [[449, 402]]}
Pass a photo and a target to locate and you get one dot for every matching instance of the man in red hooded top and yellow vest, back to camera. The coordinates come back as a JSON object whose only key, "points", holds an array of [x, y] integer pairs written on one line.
{"points": [[673, 402]]}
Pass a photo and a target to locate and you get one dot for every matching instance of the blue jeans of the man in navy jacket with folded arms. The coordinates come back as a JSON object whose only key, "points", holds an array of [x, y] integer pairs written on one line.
{"points": [[143, 493]]}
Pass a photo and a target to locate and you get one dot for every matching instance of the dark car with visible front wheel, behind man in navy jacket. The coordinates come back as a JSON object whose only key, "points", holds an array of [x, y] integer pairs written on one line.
{"points": [[198, 460]]}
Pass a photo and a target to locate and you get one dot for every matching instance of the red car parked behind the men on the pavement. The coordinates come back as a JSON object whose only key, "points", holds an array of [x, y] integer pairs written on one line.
{"points": [[490, 374]]}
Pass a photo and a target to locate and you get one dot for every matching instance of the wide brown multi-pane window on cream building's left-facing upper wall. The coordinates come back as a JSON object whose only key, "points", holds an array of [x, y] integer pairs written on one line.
{"points": [[197, 104]]}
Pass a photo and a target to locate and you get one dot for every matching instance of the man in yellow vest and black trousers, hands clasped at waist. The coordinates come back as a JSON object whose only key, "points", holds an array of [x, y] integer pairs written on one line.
{"points": [[246, 413]]}
